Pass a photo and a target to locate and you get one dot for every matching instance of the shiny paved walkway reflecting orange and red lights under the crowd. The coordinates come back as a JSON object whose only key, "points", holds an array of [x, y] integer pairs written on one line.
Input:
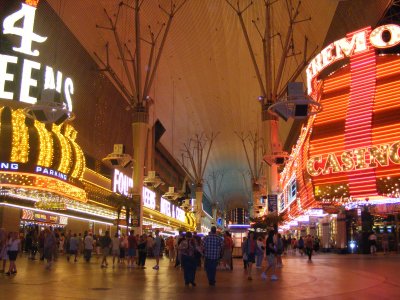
{"points": [[330, 276]]}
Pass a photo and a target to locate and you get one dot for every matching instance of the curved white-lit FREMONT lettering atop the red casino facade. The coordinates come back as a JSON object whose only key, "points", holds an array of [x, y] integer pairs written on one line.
{"points": [[355, 43]]}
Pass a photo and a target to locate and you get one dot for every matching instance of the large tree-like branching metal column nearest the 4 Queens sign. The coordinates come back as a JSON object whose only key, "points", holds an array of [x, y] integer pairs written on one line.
{"points": [[136, 87]]}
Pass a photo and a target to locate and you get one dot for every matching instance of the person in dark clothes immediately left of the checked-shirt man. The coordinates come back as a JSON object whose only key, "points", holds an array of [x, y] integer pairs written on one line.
{"points": [[187, 249]]}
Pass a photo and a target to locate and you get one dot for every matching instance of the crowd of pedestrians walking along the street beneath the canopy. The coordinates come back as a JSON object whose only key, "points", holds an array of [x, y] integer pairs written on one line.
{"points": [[187, 251]]}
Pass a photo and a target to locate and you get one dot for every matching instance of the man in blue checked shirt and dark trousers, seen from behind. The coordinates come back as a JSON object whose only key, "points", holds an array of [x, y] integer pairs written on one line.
{"points": [[212, 245]]}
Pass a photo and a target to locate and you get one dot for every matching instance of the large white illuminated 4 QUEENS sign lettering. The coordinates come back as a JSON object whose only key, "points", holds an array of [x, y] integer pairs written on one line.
{"points": [[52, 79]]}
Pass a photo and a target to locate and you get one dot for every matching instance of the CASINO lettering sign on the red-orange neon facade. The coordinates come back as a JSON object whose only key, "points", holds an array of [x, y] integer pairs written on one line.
{"points": [[357, 159]]}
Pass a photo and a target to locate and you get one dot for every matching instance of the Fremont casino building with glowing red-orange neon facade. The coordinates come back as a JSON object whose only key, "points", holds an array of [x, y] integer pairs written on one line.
{"points": [[347, 156]]}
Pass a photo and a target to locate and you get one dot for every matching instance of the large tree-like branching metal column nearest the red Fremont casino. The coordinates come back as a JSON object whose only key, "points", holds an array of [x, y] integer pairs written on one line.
{"points": [[273, 85]]}
